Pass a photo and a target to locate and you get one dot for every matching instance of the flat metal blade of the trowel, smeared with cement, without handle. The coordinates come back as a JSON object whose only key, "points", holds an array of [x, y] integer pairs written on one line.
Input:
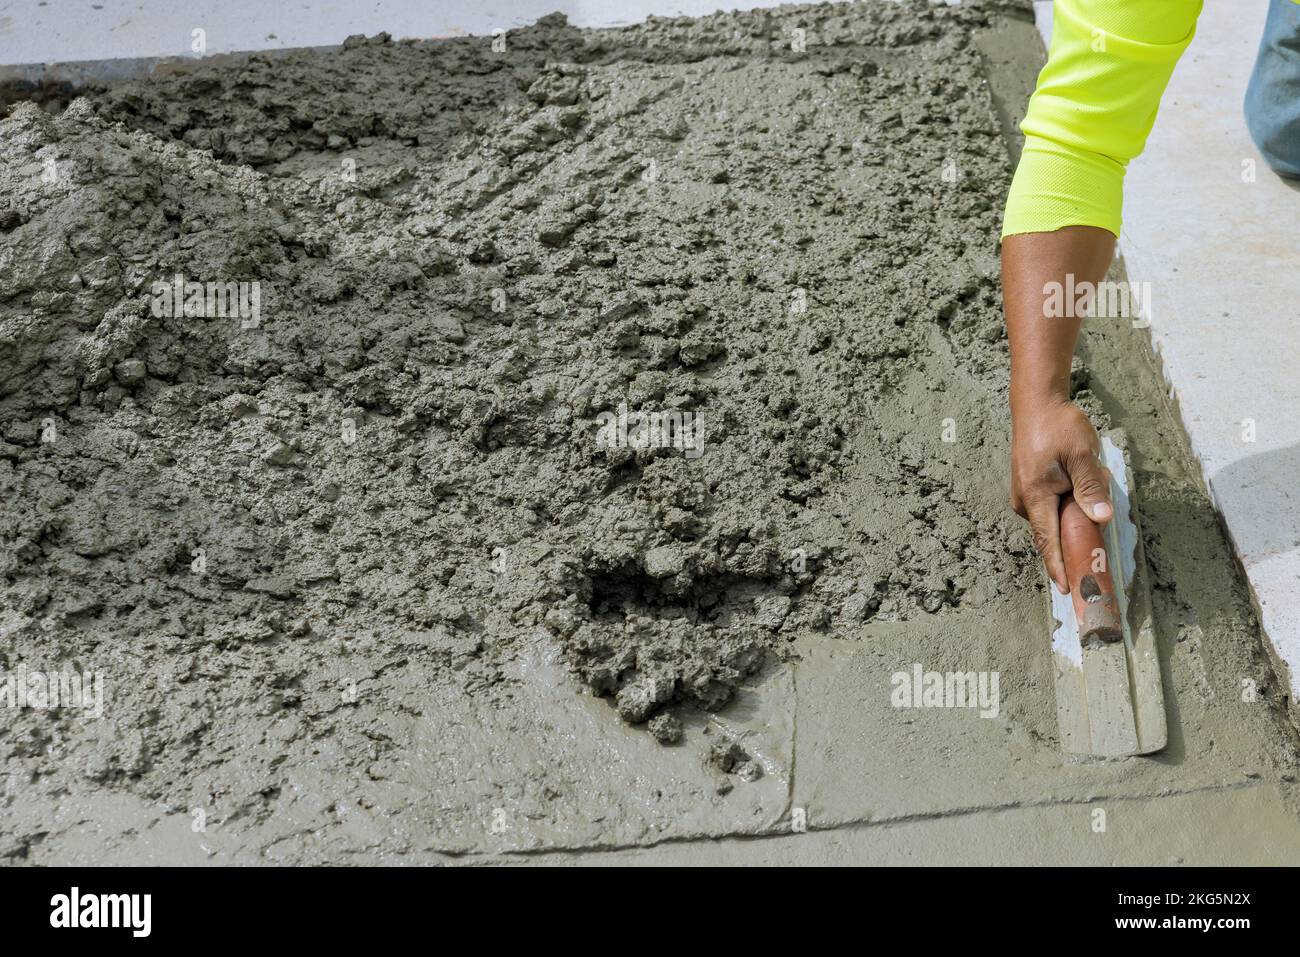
{"points": [[1110, 699]]}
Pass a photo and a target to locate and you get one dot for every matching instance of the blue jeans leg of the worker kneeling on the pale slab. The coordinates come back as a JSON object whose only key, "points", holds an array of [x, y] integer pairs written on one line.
{"points": [[1273, 97]]}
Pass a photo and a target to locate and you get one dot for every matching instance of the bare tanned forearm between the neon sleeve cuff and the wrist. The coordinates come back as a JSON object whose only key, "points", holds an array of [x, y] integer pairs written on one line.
{"points": [[1042, 344]]}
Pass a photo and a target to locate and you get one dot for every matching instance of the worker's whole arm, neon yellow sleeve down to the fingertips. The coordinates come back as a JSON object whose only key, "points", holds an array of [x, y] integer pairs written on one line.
{"points": [[1090, 115]]}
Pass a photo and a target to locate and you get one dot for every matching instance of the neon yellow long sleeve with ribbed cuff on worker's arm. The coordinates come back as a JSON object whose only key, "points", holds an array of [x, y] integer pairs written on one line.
{"points": [[1093, 110]]}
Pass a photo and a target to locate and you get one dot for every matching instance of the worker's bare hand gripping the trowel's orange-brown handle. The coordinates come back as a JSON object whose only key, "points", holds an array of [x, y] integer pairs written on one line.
{"points": [[1054, 454]]}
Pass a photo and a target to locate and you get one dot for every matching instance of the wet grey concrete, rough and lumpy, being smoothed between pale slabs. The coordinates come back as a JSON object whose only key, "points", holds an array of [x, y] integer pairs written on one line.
{"points": [[382, 577]]}
